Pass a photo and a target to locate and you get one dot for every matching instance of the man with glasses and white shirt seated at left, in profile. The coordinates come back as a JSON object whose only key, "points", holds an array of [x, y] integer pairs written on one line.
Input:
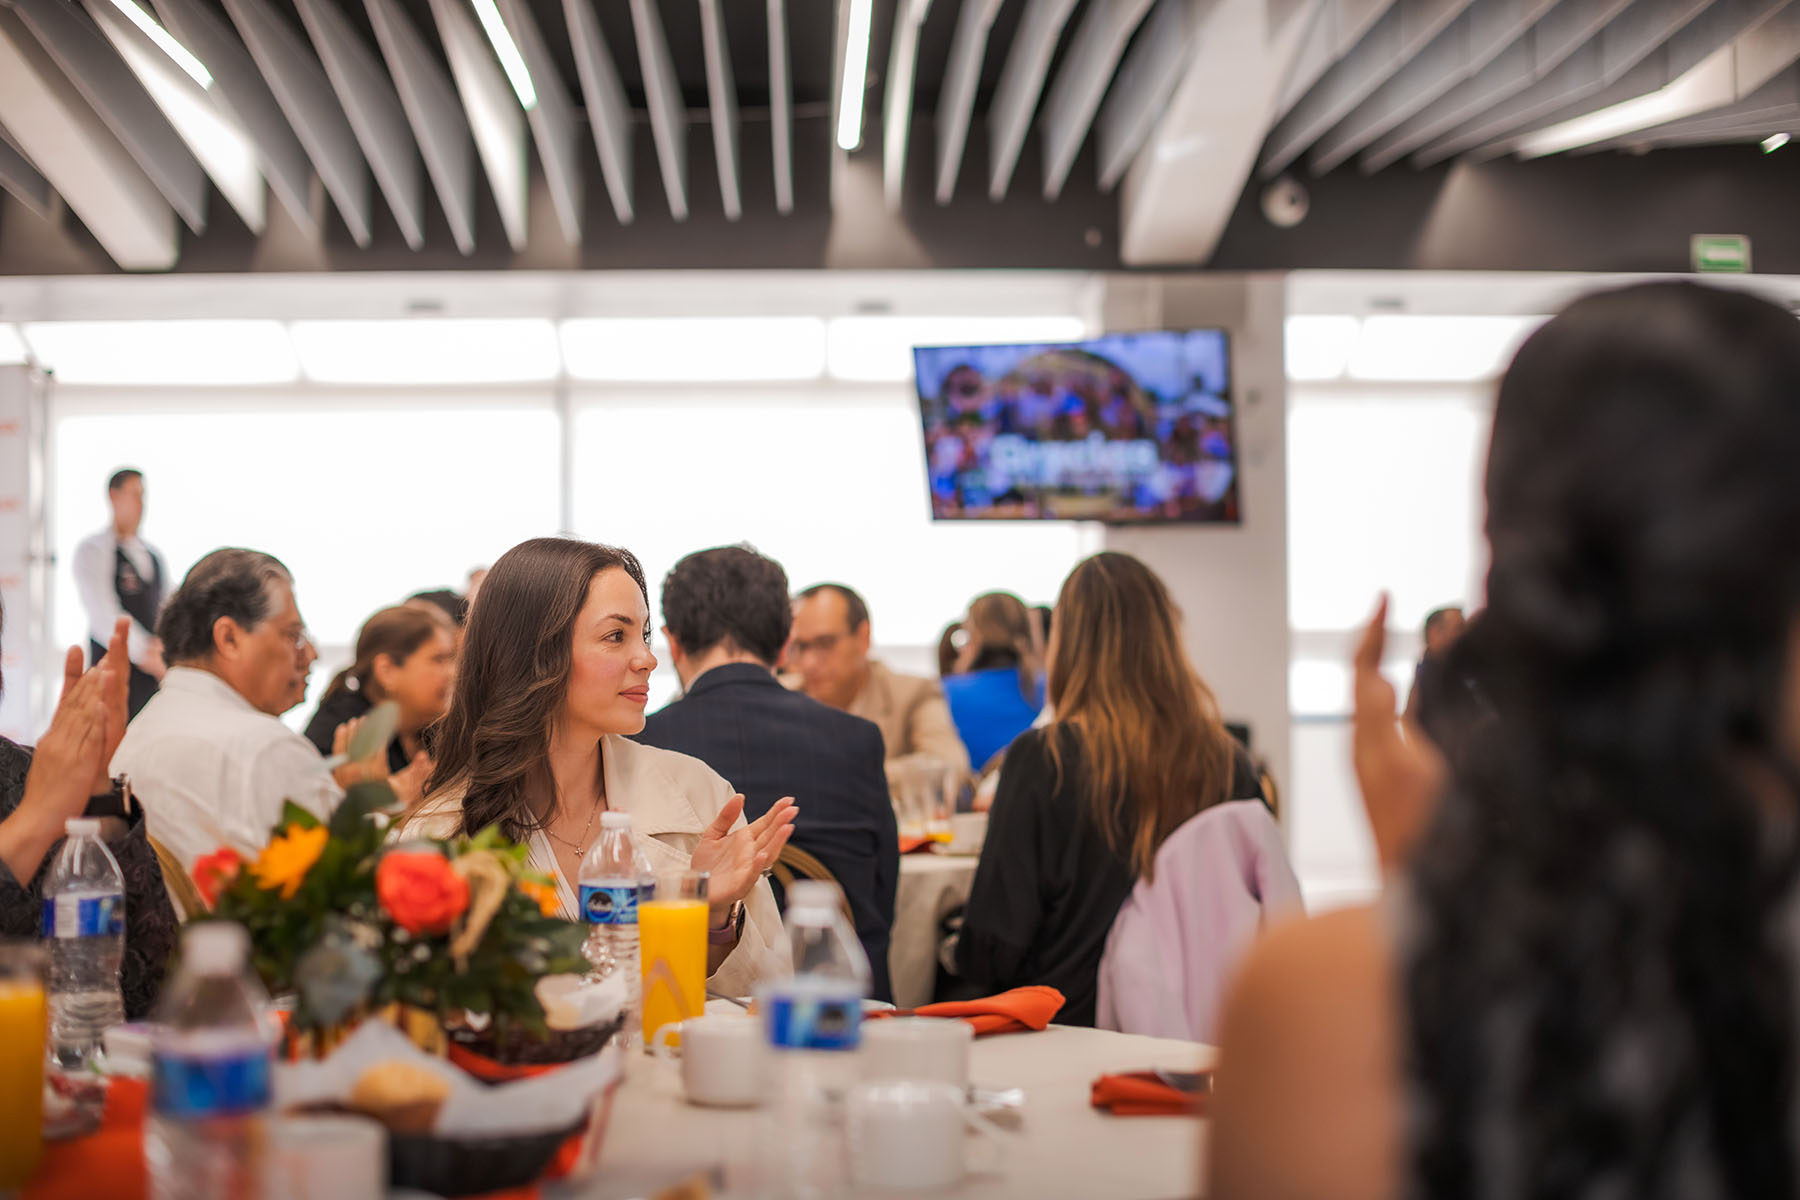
{"points": [[210, 758]]}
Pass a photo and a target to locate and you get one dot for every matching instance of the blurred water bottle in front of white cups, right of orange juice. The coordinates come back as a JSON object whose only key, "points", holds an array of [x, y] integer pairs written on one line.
{"points": [[814, 1026]]}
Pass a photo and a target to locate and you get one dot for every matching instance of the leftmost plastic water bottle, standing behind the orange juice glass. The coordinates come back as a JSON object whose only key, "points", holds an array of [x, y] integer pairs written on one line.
{"points": [[84, 920]]}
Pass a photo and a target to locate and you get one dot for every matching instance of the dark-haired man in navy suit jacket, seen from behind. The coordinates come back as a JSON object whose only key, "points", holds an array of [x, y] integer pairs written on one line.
{"points": [[726, 618]]}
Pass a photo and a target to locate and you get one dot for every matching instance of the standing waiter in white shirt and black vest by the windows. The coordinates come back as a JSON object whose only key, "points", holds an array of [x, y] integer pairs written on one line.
{"points": [[120, 575]]}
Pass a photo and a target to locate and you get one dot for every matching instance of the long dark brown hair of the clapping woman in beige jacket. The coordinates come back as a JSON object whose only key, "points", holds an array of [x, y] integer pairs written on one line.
{"points": [[512, 681]]}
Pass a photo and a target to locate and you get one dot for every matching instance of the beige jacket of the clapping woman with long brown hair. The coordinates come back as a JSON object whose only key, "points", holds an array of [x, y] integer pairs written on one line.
{"points": [[672, 800]]}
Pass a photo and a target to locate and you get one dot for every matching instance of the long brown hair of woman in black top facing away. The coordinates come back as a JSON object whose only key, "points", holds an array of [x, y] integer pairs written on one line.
{"points": [[1155, 751]]}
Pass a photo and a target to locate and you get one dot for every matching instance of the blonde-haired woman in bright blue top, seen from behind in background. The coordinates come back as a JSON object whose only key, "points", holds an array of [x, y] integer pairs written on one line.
{"points": [[996, 686]]}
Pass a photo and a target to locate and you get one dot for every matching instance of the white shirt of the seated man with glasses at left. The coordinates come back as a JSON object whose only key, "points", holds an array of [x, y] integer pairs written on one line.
{"points": [[211, 771]]}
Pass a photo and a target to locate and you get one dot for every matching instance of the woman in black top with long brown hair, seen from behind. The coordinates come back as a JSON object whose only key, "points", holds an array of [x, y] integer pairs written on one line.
{"points": [[1137, 749]]}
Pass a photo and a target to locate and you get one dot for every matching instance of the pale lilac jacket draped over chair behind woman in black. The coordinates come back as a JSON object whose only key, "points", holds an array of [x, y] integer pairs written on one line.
{"points": [[1219, 881]]}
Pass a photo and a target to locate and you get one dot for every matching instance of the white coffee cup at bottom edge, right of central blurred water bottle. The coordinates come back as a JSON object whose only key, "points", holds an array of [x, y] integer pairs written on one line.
{"points": [[910, 1134]]}
